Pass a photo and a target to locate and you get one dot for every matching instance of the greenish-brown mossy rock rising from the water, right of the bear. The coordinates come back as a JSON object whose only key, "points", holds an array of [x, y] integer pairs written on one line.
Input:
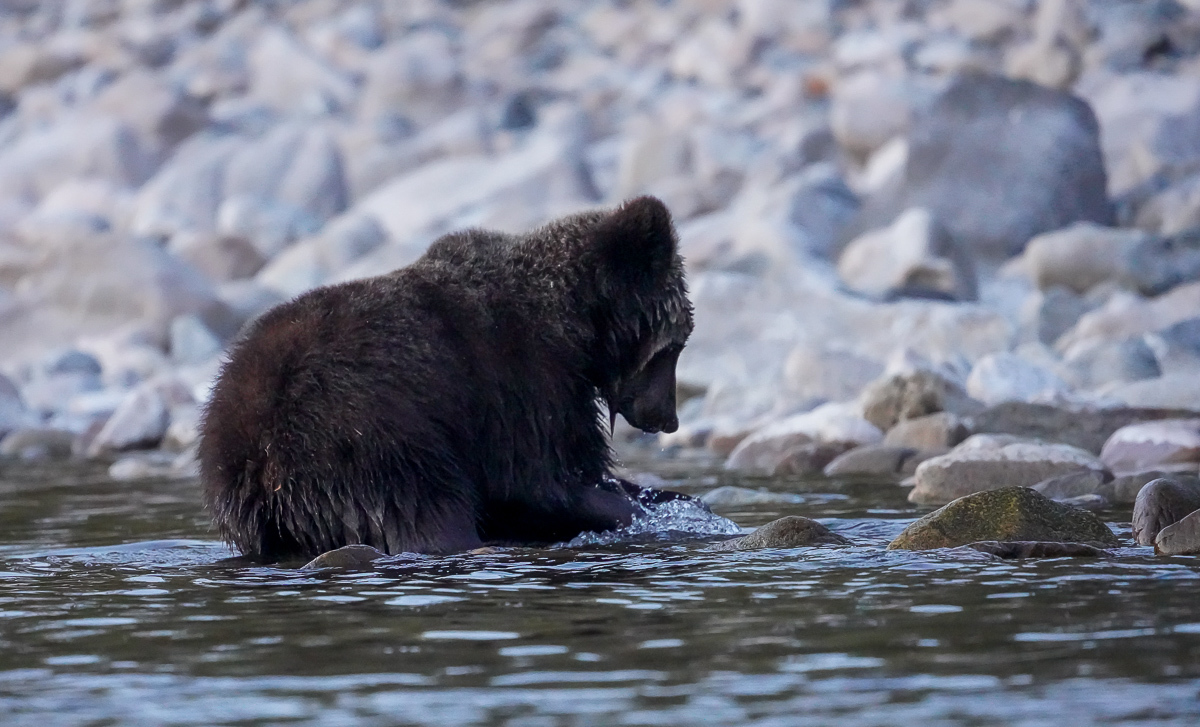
{"points": [[1005, 515]]}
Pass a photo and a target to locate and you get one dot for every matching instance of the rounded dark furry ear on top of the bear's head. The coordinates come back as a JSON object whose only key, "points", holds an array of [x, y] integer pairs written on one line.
{"points": [[638, 239]]}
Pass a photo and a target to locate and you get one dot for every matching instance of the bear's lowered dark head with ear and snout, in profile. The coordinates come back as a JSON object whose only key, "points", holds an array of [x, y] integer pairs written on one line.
{"points": [[650, 316]]}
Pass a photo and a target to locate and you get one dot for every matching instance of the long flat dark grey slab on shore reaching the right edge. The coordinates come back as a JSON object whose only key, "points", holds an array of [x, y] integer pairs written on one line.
{"points": [[1079, 426]]}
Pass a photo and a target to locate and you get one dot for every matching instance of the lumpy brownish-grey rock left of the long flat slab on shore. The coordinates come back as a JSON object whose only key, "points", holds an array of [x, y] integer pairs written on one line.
{"points": [[909, 396]]}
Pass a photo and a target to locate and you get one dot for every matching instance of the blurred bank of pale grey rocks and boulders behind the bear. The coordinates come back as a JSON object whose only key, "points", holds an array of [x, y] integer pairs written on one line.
{"points": [[905, 221]]}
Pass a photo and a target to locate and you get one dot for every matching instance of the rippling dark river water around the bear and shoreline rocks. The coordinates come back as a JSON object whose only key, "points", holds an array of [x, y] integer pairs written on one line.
{"points": [[116, 609]]}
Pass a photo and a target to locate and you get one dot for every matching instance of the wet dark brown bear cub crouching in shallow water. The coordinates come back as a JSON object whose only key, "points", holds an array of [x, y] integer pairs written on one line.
{"points": [[458, 401]]}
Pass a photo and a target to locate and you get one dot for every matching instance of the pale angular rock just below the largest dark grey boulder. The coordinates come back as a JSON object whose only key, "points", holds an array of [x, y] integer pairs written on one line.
{"points": [[914, 256]]}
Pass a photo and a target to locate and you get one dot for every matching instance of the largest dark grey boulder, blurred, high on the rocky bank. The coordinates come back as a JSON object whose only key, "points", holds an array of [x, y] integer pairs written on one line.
{"points": [[998, 163]]}
